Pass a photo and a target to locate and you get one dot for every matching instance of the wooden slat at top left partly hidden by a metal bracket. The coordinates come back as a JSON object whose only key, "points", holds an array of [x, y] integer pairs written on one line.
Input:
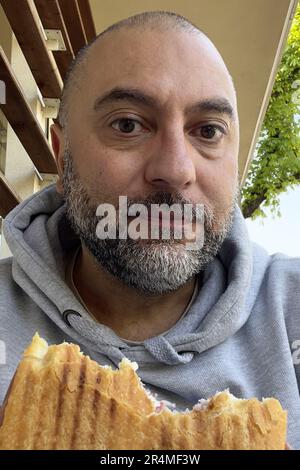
{"points": [[51, 18]]}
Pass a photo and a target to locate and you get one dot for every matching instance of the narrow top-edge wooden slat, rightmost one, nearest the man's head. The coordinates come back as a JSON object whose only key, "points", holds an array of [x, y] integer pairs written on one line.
{"points": [[73, 21]]}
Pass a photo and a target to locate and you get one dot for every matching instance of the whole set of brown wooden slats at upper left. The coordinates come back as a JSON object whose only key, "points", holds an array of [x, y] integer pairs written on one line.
{"points": [[74, 20]]}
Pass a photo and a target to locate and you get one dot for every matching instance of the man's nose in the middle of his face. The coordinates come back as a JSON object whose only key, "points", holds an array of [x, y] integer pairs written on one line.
{"points": [[170, 165]]}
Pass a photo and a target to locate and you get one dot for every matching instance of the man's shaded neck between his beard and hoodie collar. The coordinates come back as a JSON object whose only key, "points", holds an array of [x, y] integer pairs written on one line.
{"points": [[132, 315]]}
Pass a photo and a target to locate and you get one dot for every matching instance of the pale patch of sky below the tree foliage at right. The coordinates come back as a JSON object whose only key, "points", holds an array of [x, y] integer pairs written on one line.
{"points": [[279, 234]]}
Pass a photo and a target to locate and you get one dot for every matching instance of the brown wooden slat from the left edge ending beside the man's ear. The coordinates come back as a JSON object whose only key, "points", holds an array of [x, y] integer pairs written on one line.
{"points": [[23, 121]]}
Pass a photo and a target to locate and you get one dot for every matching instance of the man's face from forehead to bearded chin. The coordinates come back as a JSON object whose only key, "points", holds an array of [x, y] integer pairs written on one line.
{"points": [[168, 129]]}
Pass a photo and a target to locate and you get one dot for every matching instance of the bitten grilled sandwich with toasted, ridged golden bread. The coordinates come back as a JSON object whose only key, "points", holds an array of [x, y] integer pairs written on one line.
{"points": [[61, 399]]}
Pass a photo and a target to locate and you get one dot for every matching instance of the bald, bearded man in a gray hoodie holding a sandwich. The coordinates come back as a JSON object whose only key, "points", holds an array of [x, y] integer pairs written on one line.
{"points": [[149, 112]]}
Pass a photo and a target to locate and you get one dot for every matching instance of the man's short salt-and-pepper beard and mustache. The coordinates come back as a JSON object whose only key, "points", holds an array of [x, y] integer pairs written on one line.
{"points": [[152, 267]]}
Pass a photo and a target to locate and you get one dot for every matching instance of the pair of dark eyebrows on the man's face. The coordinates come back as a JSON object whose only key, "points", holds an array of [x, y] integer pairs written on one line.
{"points": [[216, 104]]}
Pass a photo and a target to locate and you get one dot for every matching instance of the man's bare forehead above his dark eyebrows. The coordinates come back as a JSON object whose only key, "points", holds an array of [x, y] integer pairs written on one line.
{"points": [[172, 66]]}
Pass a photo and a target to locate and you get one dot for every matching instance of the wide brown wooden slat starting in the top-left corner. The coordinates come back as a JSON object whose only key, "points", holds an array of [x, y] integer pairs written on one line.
{"points": [[25, 24]]}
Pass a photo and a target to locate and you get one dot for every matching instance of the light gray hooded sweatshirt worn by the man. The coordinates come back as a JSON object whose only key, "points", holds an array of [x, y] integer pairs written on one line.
{"points": [[242, 332]]}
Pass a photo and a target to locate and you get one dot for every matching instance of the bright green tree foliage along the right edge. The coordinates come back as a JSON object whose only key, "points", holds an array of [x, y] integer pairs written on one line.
{"points": [[276, 163]]}
